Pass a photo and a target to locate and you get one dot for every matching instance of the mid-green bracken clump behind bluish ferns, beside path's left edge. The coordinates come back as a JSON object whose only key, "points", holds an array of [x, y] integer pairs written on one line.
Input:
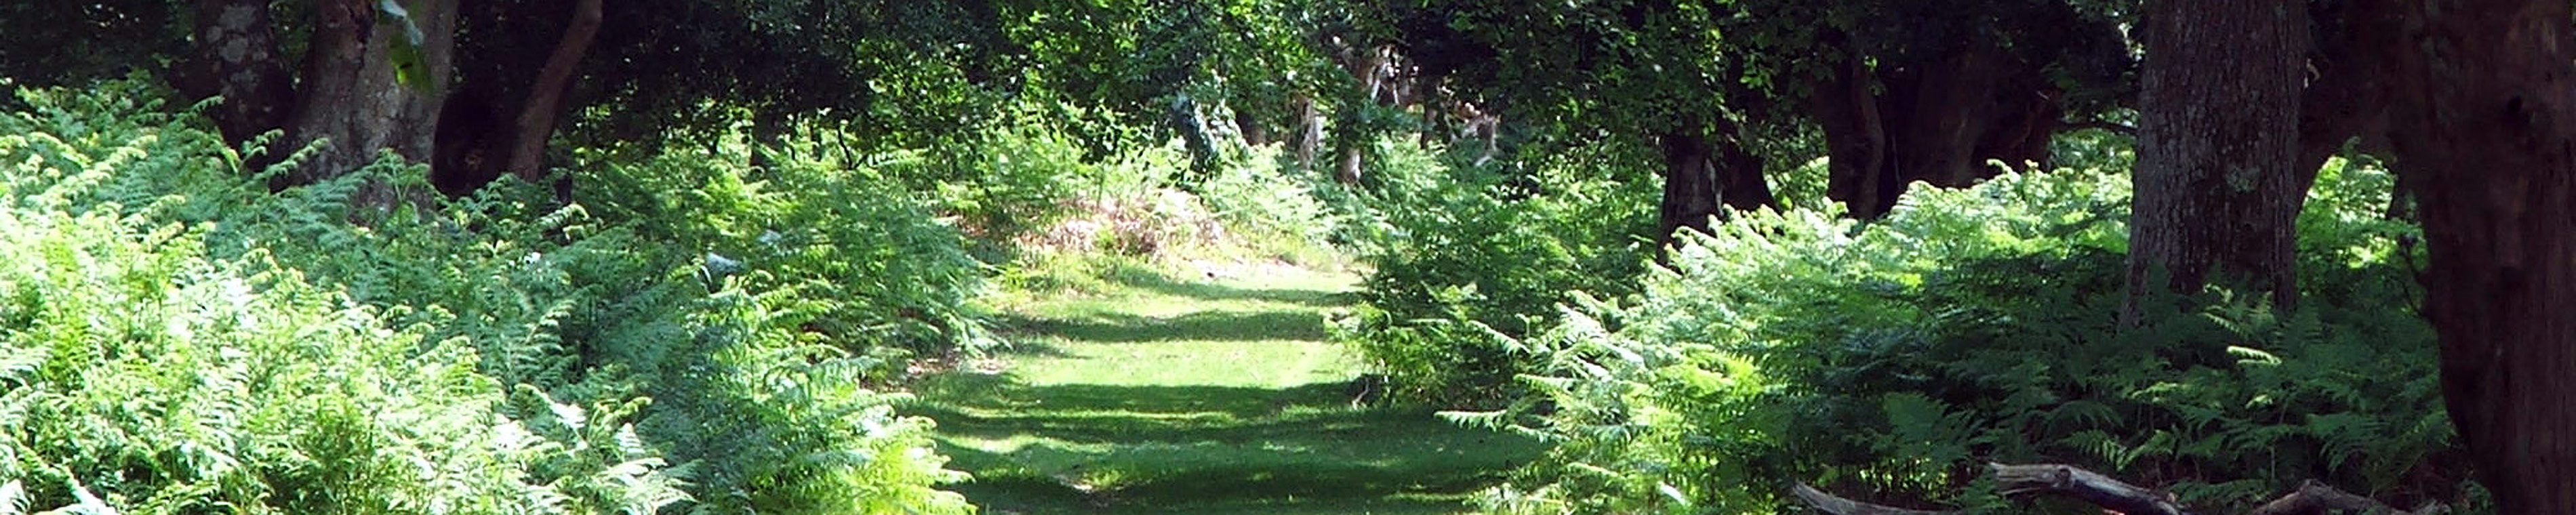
{"points": [[869, 267]]}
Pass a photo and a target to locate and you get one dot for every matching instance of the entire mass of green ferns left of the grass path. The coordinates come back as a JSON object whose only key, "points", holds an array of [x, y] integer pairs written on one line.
{"points": [[710, 349]]}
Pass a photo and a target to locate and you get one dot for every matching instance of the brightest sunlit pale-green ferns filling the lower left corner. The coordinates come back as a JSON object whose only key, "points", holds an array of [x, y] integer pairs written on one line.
{"points": [[146, 375]]}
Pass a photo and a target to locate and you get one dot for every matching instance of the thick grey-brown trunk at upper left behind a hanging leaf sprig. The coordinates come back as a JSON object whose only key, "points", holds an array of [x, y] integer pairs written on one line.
{"points": [[349, 94]]}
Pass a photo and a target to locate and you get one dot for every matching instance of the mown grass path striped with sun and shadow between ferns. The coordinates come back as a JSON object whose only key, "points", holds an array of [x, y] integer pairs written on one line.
{"points": [[1199, 398]]}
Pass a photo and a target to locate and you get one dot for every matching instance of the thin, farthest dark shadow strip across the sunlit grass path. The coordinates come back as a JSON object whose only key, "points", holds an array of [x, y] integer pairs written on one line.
{"points": [[1199, 326]]}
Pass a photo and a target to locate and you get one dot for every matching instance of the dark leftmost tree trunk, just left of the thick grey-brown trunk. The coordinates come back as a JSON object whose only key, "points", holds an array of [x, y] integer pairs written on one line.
{"points": [[238, 58]]}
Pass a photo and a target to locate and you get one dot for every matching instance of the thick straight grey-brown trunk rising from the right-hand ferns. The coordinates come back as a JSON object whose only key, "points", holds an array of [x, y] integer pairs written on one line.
{"points": [[2217, 143]]}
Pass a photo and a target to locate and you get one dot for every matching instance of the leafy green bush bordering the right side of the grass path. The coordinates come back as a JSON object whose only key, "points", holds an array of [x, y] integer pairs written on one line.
{"points": [[1467, 261]]}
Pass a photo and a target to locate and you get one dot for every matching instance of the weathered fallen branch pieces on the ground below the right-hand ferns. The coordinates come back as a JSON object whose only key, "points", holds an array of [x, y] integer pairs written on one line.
{"points": [[2116, 496]]}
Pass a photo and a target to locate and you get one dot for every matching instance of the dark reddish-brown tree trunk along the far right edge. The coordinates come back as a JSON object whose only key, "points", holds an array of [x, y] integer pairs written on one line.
{"points": [[2485, 133]]}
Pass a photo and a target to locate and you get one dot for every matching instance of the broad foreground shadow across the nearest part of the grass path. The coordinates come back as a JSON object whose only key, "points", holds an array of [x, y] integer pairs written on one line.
{"points": [[1215, 449]]}
